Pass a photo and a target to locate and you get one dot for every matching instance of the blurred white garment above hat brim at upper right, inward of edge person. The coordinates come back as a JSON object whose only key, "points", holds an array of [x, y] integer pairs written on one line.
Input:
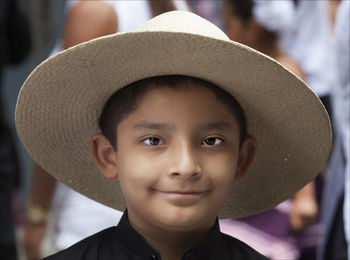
{"points": [[308, 42]]}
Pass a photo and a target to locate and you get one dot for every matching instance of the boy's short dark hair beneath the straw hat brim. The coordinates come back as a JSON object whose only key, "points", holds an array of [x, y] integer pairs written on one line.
{"points": [[126, 100]]}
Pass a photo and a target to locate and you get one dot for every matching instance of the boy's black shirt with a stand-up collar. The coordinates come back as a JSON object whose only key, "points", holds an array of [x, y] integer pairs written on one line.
{"points": [[123, 242]]}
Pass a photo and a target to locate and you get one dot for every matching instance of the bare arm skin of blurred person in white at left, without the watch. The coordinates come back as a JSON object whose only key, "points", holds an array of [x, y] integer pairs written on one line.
{"points": [[86, 20]]}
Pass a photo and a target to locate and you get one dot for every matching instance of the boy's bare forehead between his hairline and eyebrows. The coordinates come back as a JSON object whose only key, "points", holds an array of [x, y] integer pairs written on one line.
{"points": [[189, 103]]}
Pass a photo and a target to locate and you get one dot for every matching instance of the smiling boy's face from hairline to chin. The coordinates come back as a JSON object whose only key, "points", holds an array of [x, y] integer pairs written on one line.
{"points": [[177, 158]]}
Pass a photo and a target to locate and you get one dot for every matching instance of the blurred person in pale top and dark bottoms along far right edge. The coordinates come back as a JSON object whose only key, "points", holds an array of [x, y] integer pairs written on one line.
{"points": [[335, 241]]}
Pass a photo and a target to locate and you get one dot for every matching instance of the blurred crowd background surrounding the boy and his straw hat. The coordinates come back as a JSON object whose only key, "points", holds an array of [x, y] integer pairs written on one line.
{"points": [[311, 38]]}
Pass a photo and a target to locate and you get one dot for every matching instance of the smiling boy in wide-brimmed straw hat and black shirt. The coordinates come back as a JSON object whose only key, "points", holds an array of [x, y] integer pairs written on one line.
{"points": [[174, 115]]}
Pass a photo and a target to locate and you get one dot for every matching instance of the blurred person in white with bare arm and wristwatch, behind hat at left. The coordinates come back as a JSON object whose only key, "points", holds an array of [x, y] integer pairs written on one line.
{"points": [[74, 215]]}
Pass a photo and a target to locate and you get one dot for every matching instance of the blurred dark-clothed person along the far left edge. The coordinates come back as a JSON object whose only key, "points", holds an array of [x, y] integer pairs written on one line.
{"points": [[15, 45]]}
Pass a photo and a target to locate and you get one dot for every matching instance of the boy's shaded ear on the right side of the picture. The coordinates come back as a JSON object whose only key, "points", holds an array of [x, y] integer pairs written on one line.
{"points": [[246, 157]]}
